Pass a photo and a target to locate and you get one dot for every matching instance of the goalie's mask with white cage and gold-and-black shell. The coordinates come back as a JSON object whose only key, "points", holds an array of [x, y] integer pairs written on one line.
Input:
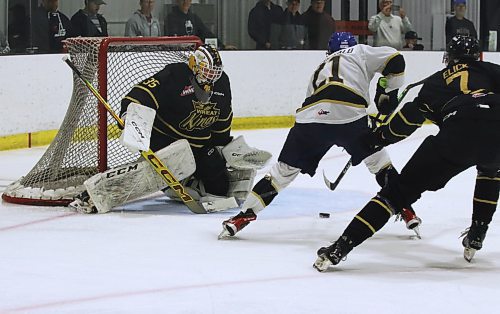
{"points": [[206, 65]]}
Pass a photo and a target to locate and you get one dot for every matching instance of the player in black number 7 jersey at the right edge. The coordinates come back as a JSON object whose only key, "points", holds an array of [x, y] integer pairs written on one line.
{"points": [[463, 99]]}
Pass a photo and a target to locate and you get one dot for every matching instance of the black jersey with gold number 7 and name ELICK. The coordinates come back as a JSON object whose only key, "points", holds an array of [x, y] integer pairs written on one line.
{"points": [[437, 97]]}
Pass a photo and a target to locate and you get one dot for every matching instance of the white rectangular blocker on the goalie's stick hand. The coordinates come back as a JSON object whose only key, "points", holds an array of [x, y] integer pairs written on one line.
{"points": [[136, 134]]}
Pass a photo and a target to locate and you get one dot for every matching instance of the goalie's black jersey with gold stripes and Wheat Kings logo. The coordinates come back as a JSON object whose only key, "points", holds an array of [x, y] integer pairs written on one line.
{"points": [[179, 114]]}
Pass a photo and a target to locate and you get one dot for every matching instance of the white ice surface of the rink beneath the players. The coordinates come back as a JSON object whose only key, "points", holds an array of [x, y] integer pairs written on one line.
{"points": [[154, 256]]}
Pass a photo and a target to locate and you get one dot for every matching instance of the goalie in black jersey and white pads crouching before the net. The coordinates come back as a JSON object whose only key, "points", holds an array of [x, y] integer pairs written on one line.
{"points": [[184, 114]]}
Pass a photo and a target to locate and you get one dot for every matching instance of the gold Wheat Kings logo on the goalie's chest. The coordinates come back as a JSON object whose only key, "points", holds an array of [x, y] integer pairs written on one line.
{"points": [[203, 116]]}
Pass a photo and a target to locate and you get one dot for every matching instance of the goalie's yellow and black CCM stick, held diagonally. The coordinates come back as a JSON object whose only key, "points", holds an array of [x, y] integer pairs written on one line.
{"points": [[154, 161]]}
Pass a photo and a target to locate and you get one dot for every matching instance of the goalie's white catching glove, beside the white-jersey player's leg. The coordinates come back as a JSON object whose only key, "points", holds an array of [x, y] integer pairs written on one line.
{"points": [[241, 156]]}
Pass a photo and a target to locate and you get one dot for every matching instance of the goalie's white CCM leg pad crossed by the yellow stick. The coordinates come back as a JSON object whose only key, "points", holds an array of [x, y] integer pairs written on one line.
{"points": [[117, 186]]}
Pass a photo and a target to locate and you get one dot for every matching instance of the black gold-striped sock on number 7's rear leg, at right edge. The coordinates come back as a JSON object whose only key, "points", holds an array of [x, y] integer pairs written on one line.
{"points": [[485, 197]]}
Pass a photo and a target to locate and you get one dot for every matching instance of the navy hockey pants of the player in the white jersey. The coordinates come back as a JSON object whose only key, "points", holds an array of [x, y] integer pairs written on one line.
{"points": [[306, 144]]}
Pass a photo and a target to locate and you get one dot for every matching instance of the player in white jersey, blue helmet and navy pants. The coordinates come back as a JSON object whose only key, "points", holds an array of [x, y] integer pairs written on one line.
{"points": [[333, 113]]}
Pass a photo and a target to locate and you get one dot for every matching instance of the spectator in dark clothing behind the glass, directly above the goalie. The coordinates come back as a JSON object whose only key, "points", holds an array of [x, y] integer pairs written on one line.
{"points": [[181, 22]]}
